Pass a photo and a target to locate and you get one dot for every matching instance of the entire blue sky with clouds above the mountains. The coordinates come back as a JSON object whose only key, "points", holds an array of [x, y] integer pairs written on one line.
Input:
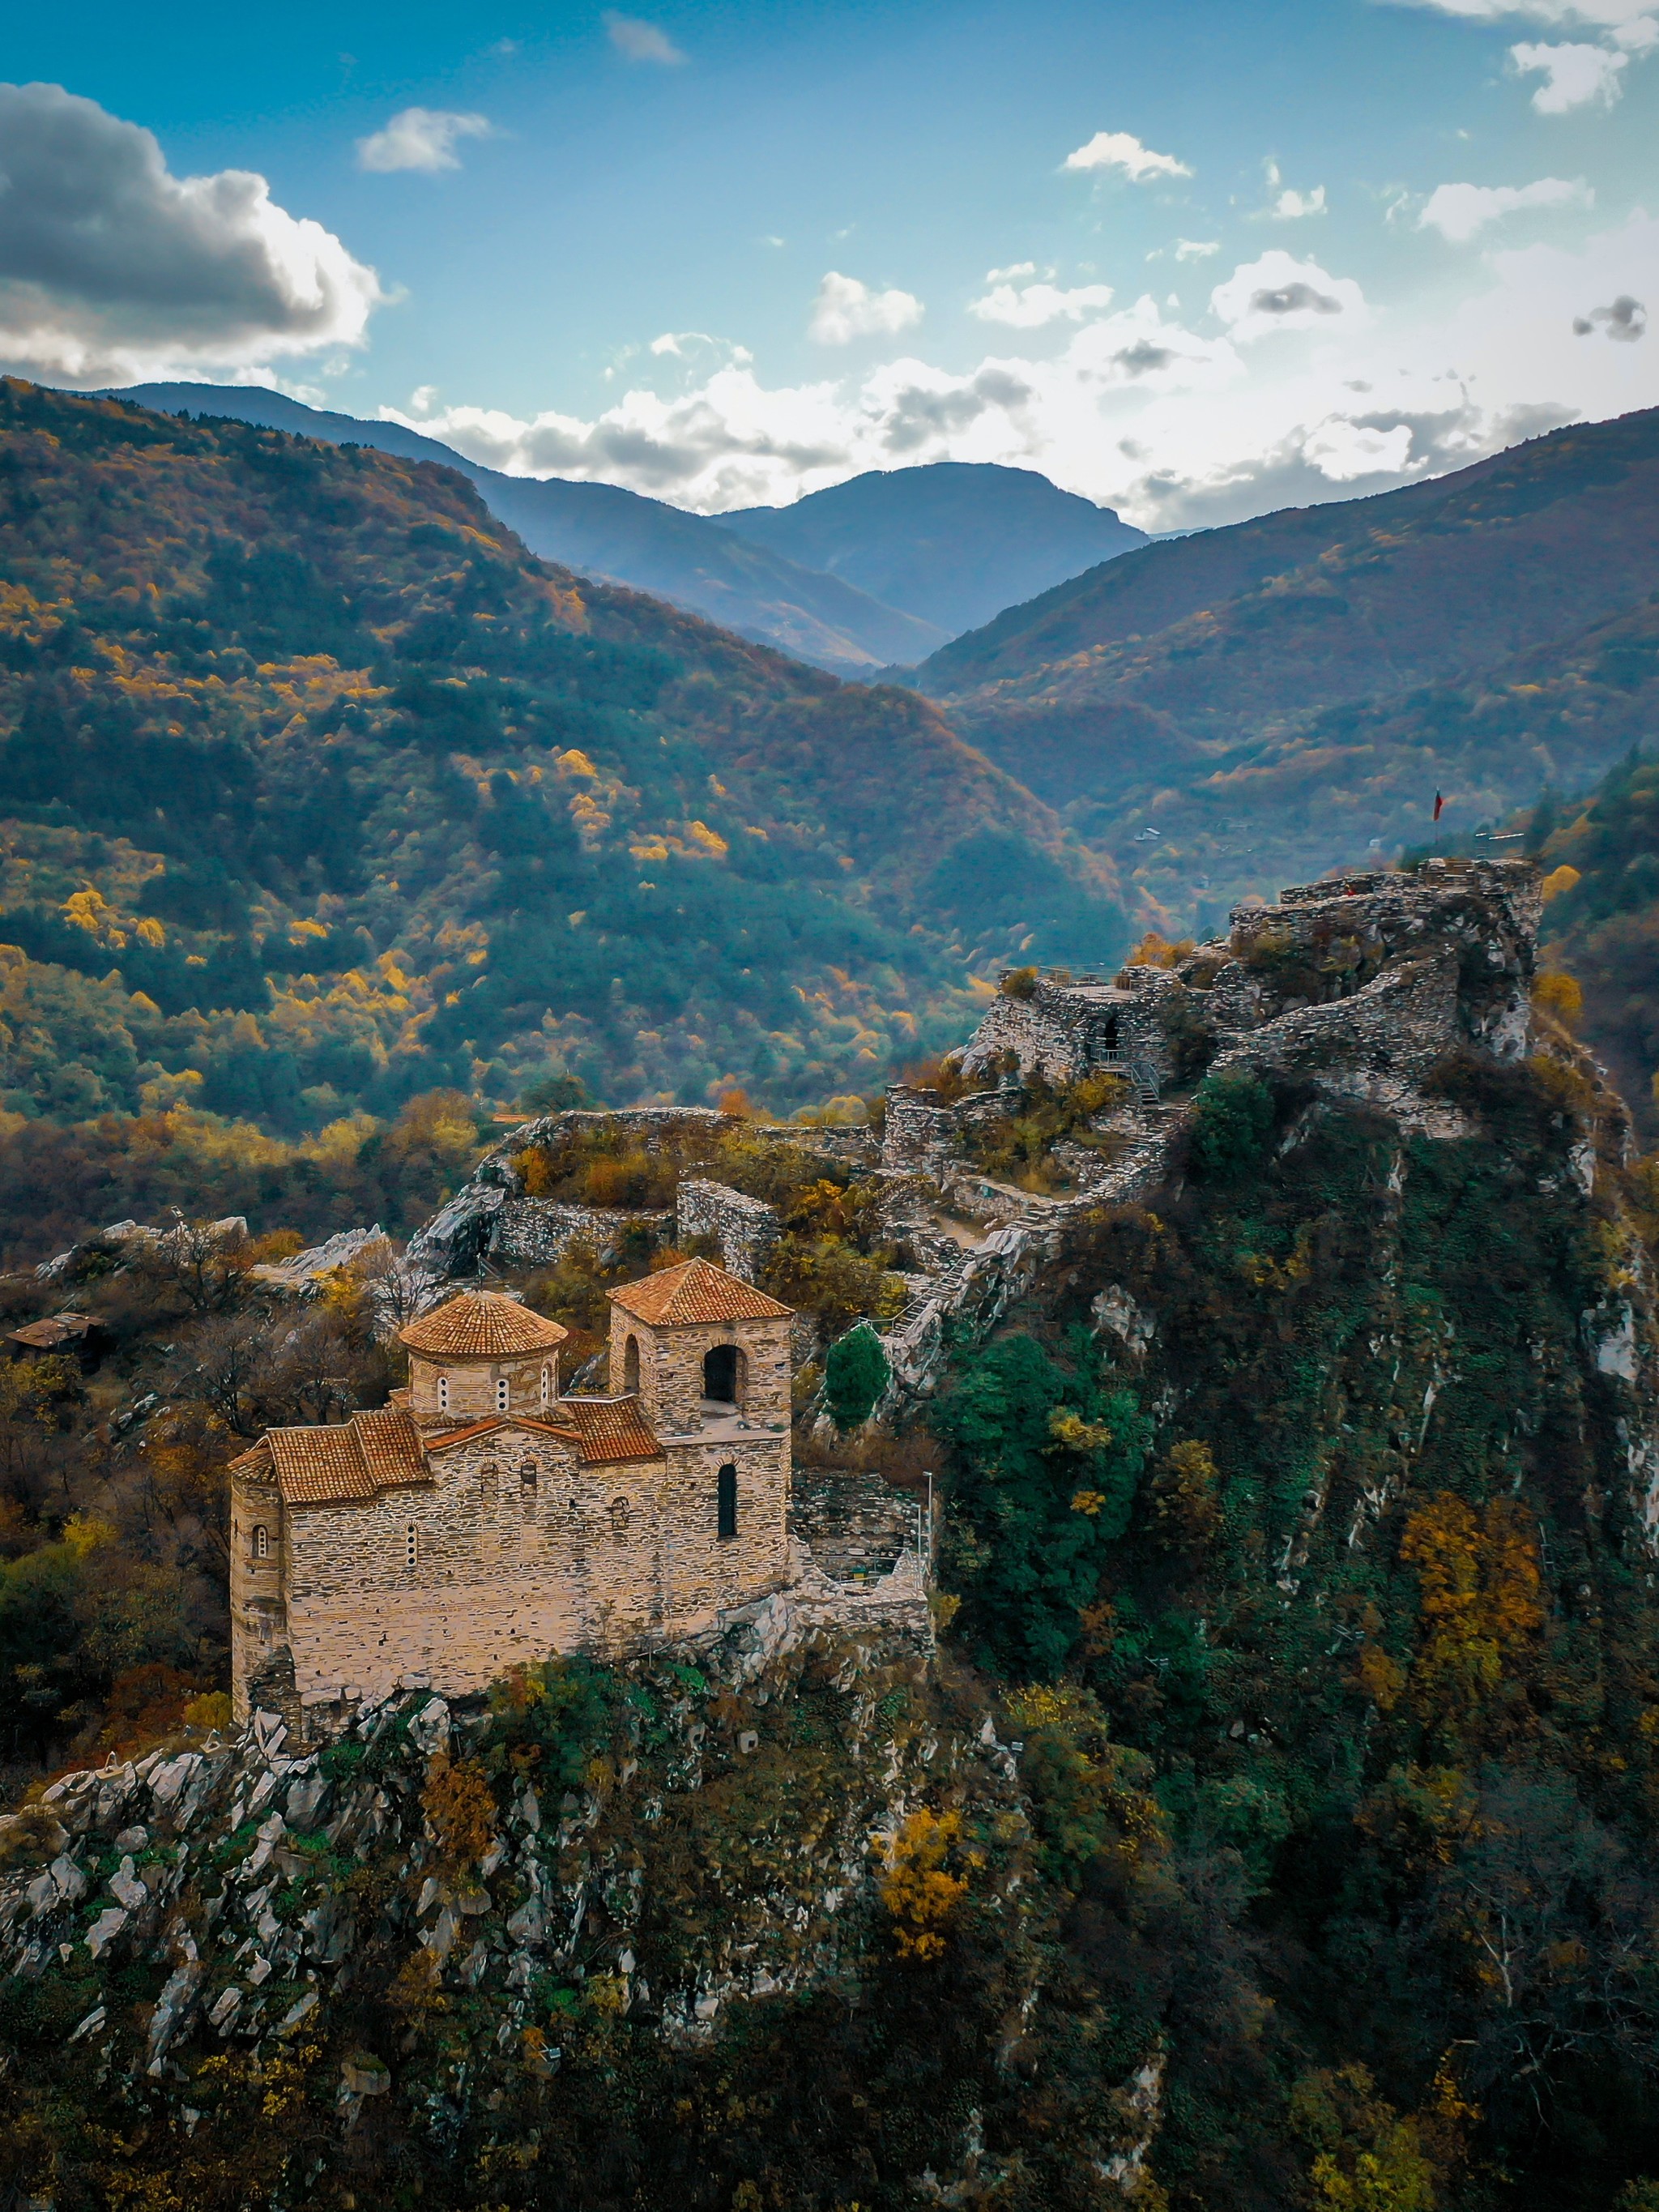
{"points": [[1193, 262]]}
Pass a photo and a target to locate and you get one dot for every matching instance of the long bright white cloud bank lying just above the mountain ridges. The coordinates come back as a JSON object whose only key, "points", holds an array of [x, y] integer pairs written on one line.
{"points": [[1173, 426]]}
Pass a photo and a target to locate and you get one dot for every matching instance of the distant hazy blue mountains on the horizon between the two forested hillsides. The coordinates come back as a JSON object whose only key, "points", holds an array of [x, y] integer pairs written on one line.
{"points": [[873, 574]]}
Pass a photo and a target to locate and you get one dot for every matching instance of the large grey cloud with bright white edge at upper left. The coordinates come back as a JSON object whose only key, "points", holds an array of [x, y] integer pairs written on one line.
{"points": [[112, 269]]}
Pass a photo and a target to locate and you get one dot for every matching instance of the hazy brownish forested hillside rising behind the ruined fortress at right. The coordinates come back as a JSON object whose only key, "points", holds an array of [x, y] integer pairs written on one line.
{"points": [[1240, 709]]}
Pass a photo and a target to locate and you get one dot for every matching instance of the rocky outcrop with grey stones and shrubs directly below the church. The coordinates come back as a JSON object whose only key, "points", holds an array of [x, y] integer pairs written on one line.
{"points": [[769, 1923]]}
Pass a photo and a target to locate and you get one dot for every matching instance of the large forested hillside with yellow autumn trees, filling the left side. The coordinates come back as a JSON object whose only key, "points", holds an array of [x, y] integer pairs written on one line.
{"points": [[317, 793]]}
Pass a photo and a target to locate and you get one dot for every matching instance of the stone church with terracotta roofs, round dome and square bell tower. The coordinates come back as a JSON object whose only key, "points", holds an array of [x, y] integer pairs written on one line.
{"points": [[488, 1519]]}
